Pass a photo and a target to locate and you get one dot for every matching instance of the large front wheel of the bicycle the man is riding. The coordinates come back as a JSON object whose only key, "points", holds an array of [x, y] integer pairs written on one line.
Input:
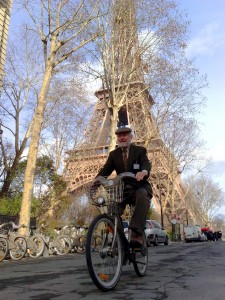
{"points": [[104, 262]]}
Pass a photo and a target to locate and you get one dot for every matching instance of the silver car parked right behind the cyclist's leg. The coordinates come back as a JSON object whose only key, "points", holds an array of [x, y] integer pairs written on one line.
{"points": [[155, 233]]}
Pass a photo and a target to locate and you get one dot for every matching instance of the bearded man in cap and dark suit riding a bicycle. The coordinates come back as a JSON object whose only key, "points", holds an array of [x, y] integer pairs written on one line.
{"points": [[140, 193]]}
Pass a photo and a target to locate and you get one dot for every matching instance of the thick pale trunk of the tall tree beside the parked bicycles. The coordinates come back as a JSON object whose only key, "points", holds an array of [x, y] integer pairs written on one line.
{"points": [[33, 150]]}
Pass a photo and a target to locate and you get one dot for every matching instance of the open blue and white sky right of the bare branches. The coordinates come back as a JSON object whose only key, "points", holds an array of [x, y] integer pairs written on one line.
{"points": [[207, 46]]}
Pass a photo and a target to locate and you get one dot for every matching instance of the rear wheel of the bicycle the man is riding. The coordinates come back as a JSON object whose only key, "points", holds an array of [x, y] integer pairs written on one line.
{"points": [[140, 261]]}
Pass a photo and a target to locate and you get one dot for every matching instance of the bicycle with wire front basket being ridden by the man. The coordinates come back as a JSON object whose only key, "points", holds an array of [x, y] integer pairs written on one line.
{"points": [[112, 250]]}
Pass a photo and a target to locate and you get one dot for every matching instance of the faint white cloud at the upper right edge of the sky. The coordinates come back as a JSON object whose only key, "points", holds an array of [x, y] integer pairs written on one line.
{"points": [[207, 40]]}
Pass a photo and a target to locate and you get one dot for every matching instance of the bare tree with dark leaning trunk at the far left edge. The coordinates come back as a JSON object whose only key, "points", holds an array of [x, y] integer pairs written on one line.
{"points": [[20, 87]]}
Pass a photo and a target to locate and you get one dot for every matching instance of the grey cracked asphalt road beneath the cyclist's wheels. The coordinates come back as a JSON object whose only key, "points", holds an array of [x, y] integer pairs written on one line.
{"points": [[176, 272]]}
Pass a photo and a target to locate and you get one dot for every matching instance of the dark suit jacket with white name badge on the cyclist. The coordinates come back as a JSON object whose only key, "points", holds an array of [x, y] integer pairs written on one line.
{"points": [[137, 161]]}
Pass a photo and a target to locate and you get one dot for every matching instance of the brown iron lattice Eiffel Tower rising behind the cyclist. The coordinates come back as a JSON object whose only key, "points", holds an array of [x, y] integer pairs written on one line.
{"points": [[85, 161]]}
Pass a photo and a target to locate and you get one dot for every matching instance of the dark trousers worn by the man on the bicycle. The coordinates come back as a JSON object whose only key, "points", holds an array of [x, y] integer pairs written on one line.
{"points": [[139, 197]]}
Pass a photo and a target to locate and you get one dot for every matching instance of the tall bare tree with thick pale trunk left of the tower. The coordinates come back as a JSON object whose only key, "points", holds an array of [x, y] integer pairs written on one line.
{"points": [[63, 27]]}
